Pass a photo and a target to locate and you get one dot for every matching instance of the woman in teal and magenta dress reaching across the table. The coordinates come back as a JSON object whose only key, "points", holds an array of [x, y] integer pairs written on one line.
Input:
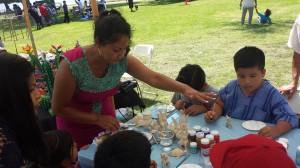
{"points": [[88, 77]]}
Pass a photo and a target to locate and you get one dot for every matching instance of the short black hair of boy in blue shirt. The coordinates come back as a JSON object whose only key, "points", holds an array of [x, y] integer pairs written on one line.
{"points": [[249, 57]]}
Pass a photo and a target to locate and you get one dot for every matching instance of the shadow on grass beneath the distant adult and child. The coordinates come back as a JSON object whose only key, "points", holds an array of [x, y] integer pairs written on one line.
{"points": [[259, 28]]}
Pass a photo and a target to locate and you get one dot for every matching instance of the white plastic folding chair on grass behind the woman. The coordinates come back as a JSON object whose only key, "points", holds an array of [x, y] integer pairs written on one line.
{"points": [[142, 51]]}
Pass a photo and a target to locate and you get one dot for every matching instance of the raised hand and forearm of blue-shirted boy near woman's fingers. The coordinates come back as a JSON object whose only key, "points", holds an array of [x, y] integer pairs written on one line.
{"points": [[215, 112]]}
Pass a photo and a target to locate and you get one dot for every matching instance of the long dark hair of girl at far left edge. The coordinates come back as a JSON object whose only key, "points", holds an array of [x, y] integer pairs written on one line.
{"points": [[16, 107]]}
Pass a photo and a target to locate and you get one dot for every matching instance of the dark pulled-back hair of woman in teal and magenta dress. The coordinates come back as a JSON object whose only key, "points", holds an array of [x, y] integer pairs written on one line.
{"points": [[110, 26]]}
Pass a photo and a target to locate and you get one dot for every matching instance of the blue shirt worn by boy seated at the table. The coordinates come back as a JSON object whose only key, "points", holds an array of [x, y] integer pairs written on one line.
{"points": [[266, 105]]}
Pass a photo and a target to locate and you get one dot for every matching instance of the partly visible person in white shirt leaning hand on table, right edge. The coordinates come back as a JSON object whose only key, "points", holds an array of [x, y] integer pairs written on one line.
{"points": [[293, 43]]}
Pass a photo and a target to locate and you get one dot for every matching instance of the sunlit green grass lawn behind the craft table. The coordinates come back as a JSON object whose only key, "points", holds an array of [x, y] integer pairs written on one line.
{"points": [[205, 32]]}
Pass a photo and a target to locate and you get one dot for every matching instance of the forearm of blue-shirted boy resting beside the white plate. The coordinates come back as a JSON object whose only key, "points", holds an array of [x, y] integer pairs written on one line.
{"points": [[273, 132]]}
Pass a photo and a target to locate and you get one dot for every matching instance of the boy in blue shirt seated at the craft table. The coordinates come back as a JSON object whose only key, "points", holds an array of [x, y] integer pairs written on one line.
{"points": [[250, 97]]}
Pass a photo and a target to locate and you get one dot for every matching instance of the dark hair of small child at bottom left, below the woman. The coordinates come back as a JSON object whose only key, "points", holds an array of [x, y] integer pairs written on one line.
{"points": [[61, 143]]}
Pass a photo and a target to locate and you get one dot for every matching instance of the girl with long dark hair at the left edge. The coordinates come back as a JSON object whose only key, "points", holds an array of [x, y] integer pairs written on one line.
{"points": [[20, 136]]}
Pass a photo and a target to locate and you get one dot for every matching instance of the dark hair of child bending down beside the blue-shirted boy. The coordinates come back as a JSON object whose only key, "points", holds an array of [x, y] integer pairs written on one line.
{"points": [[192, 75]]}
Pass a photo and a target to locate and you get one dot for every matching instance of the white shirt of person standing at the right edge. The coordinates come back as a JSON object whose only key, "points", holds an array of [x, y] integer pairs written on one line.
{"points": [[294, 40]]}
